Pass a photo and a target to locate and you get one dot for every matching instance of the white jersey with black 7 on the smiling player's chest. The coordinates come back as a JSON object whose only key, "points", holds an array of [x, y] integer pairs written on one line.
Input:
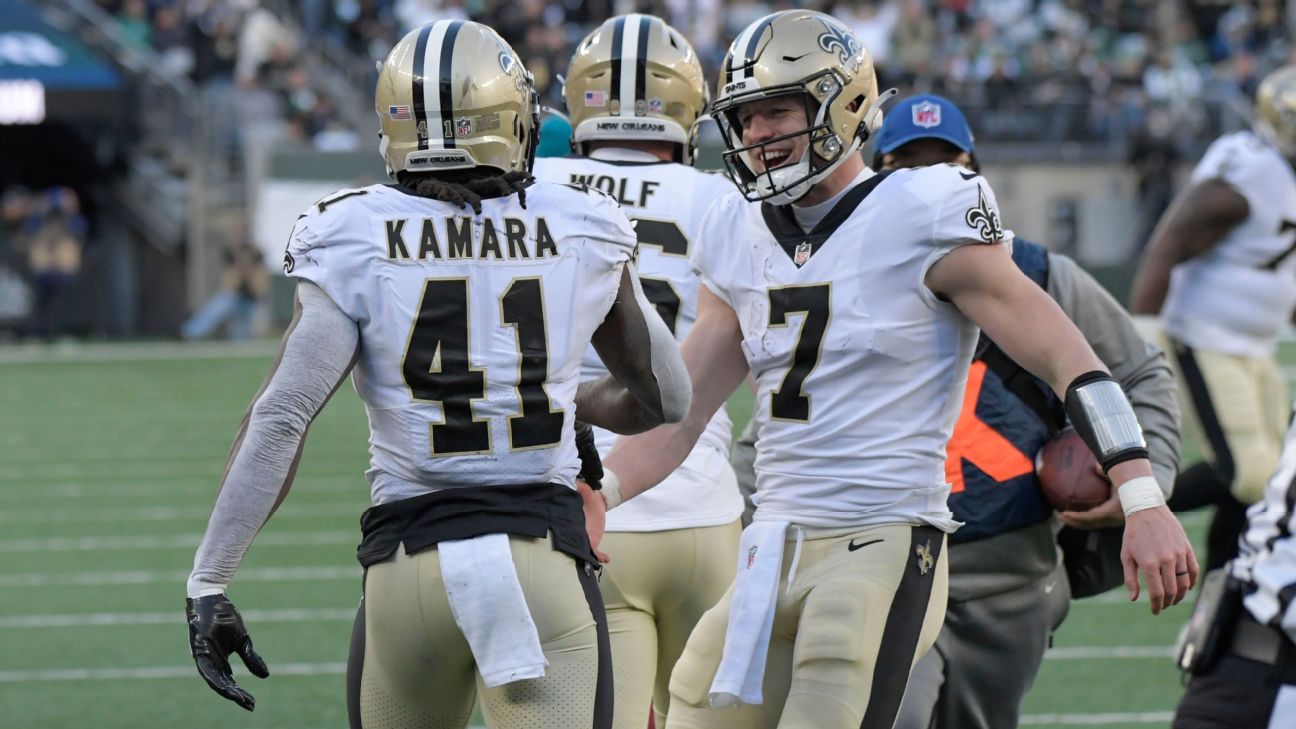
{"points": [[860, 368]]}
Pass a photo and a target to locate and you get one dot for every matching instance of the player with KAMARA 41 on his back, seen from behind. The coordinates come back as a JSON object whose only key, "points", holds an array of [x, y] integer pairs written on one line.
{"points": [[461, 300]]}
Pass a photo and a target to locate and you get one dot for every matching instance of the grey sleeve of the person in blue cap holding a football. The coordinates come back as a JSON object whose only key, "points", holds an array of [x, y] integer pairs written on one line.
{"points": [[1142, 369]]}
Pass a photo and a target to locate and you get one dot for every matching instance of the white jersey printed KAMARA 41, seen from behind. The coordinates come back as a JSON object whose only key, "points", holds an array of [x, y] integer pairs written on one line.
{"points": [[472, 328]]}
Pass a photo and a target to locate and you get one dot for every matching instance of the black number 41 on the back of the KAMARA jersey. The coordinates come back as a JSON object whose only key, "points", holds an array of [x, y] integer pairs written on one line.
{"points": [[437, 368]]}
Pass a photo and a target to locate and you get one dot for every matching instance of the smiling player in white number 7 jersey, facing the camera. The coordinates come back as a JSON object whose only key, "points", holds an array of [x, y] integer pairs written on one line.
{"points": [[855, 299]]}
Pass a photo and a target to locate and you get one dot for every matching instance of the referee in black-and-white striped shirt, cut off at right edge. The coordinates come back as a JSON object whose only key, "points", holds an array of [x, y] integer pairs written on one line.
{"points": [[1253, 686]]}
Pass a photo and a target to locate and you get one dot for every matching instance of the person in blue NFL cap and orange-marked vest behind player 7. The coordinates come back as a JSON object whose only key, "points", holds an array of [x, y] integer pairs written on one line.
{"points": [[1009, 590]]}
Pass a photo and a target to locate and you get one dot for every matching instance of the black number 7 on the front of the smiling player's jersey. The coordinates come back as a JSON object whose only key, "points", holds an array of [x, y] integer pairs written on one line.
{"points": [[790, 401]]}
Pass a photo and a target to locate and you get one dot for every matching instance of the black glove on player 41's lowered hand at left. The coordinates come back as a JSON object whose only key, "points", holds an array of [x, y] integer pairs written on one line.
{"points": [[216, 631]]}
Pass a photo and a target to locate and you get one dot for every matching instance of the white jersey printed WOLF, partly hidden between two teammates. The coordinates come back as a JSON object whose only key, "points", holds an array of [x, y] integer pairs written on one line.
{"points": [[667, 203]]}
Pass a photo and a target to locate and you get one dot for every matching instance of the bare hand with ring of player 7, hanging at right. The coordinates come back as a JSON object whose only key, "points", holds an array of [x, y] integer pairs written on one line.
{"points": [[1157, 545]]}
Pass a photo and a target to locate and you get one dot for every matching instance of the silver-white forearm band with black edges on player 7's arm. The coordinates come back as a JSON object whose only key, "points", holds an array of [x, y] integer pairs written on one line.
{"points": [[1105, 420]]}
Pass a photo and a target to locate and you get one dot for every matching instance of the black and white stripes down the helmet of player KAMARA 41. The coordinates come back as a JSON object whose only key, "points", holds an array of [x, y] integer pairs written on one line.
{"points": [[432, 93]]}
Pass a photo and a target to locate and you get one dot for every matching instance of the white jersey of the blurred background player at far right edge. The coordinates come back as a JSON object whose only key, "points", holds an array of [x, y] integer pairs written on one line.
{"points": [[1237, 296]]}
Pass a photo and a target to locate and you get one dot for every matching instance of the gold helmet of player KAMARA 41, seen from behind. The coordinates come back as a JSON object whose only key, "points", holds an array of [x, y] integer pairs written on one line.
{"points": [[453, 95]]}
